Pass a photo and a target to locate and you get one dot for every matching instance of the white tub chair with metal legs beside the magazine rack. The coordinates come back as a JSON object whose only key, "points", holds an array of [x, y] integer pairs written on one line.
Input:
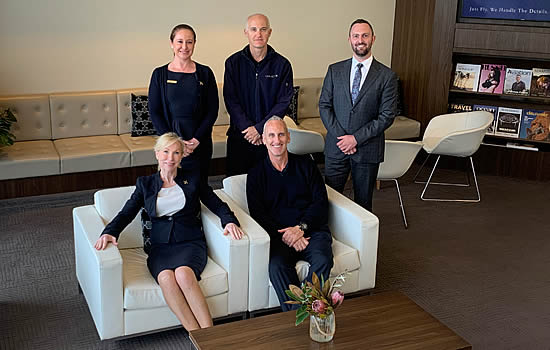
{"points": [[457, 135]]}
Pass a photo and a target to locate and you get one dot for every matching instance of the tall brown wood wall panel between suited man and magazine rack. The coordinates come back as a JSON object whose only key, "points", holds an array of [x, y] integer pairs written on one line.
{"points": [[422, 54]]}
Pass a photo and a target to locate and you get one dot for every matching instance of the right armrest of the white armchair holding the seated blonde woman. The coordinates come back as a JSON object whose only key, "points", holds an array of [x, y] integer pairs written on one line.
{"points": [[231, 255]]}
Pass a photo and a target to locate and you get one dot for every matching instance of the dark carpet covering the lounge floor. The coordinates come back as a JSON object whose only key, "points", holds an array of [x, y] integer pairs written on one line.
{"points": [[482, 269]]}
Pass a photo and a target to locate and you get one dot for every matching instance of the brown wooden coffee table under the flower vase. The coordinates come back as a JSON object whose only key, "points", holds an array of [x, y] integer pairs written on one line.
{"points": [[382, 321]]}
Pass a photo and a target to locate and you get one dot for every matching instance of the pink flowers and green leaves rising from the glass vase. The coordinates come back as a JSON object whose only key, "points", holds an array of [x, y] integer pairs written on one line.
{"points": [[318, 298]]}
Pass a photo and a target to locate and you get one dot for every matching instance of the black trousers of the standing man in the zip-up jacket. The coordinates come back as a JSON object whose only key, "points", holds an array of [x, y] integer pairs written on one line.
{"points": [[242, 155]]}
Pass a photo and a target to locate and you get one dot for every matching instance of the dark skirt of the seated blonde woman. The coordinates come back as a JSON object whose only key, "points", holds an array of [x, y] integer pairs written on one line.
{"points": [[170, 256]]}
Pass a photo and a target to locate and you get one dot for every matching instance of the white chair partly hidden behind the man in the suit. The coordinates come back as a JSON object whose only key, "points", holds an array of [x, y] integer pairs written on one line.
{"points": [[398, 157]]}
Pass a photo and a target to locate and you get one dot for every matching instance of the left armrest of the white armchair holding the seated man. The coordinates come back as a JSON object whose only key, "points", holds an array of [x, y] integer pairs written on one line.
{"points": [[258, 270]]}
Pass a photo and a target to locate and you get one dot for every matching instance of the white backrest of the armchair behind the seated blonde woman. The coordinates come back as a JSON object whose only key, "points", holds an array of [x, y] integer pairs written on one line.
{"points": [[108, 203]]}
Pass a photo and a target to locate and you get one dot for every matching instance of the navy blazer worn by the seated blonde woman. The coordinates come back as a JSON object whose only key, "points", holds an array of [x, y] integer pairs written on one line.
{"points": [[186, 224]]}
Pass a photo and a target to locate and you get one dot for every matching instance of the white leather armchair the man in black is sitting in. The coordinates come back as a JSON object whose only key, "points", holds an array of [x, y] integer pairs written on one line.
{"points": [[355, 245]]}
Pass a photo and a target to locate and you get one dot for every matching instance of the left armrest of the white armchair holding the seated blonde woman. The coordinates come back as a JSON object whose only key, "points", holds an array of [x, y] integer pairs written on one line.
{"points": [[99, 273]]}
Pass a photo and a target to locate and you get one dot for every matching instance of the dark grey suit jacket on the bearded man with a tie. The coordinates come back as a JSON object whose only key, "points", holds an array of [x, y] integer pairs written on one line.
{"points": [[372, 113]]}
